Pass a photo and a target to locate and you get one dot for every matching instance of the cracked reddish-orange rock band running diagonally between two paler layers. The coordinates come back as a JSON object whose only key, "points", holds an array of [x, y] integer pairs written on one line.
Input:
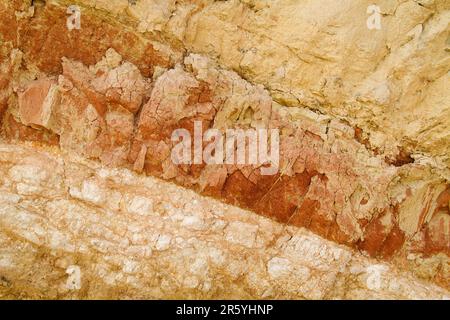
{"points": [[111, 94]]}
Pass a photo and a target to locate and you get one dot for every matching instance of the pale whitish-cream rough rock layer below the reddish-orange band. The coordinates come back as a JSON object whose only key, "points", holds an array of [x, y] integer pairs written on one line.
{"points": [[71, 228]]}
